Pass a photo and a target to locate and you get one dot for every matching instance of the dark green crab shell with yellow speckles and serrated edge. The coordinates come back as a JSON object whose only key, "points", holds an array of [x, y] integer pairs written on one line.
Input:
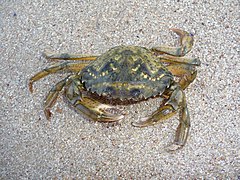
{"points": [[126, 72]]}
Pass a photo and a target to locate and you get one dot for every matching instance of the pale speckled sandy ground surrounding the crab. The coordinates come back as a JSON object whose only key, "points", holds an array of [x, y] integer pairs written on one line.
{"points": [[70, 146]]}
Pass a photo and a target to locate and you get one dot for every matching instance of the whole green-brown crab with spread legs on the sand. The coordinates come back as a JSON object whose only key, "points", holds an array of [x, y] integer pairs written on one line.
{"points": [[127, 73]]}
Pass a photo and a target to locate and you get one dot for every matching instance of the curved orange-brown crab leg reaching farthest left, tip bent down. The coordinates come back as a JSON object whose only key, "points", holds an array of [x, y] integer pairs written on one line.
{"points": [[66, 66]]}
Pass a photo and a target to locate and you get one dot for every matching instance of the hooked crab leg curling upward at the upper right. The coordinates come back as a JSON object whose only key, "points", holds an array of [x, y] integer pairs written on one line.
{"points": [[186, 43]]}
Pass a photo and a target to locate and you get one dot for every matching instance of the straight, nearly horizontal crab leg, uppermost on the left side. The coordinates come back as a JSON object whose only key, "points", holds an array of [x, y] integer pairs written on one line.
{"points": [[67, 56]]}
